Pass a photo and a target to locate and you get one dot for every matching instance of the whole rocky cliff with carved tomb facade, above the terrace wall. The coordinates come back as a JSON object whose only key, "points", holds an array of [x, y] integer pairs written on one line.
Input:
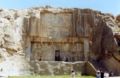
{"points": [[38, 32]]}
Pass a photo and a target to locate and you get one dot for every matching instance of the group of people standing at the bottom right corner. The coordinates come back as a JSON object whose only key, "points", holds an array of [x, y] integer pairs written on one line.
{"points": [[101, 74]]}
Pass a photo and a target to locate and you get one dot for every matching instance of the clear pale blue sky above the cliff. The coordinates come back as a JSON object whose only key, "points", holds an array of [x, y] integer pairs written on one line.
{"points": [[107, 6]]}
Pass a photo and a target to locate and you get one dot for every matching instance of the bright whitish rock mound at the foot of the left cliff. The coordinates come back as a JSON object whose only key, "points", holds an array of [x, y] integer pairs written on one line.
{"points": [[14, 65]]}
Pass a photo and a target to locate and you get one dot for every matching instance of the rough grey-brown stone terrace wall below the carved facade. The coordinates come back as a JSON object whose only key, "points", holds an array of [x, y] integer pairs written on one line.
{"points": [[57, 68]]}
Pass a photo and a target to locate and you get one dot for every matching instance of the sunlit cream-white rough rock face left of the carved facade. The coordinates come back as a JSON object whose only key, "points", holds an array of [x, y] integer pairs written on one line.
{"points": [[12, 59]]}
